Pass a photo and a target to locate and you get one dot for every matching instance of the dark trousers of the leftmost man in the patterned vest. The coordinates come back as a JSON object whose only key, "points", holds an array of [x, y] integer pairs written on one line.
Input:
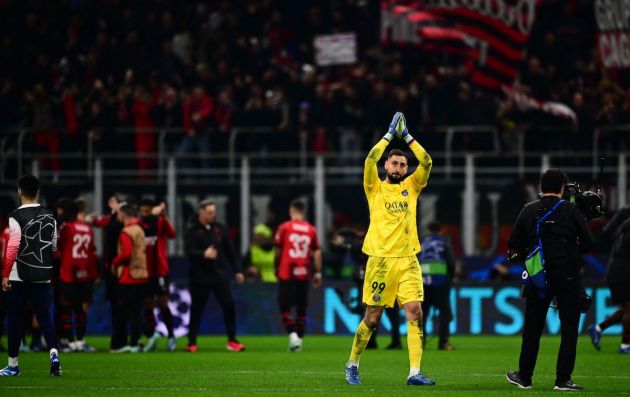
{"points": [[40, 296]]}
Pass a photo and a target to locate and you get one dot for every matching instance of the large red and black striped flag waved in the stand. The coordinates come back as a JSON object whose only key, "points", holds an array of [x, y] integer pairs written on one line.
{"points": [[493, 34]]}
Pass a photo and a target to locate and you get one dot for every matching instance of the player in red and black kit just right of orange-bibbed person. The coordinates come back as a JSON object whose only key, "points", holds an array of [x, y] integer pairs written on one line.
{"points": [[157, 230]]}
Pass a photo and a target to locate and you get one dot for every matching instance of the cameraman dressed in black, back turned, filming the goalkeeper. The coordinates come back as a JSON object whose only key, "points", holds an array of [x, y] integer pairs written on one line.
{"points": [[564, 237]]}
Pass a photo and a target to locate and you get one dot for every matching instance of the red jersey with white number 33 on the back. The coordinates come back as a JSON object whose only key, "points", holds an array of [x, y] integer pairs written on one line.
{"points": [[296, 241]]}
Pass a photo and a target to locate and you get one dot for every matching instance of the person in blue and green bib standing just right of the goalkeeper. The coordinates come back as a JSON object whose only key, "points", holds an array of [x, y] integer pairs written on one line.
{"points": [[437, 259]]}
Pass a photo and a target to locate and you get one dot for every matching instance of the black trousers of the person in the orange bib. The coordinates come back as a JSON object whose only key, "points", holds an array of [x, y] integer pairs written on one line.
{"points": [[130, 304]]}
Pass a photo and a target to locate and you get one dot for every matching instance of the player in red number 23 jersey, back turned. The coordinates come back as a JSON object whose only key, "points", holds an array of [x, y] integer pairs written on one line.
{"points": [[77, 273]]}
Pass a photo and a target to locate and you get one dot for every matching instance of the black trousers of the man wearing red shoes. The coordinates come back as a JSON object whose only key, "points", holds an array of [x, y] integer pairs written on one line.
{"points": [[199, 294]]}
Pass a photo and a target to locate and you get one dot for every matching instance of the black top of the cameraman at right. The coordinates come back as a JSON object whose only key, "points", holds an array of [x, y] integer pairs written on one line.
{"points": [[564, 235]]}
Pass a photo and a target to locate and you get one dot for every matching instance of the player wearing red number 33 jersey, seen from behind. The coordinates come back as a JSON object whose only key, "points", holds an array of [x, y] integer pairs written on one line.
{"points": [[297, 243]]}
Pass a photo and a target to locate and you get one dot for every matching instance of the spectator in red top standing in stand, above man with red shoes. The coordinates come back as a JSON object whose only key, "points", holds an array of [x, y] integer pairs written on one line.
{"points": [[198, 110]]}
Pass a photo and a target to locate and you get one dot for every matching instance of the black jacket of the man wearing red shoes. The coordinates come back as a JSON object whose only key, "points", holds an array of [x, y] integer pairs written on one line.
{"points": [[210, 271]]}
